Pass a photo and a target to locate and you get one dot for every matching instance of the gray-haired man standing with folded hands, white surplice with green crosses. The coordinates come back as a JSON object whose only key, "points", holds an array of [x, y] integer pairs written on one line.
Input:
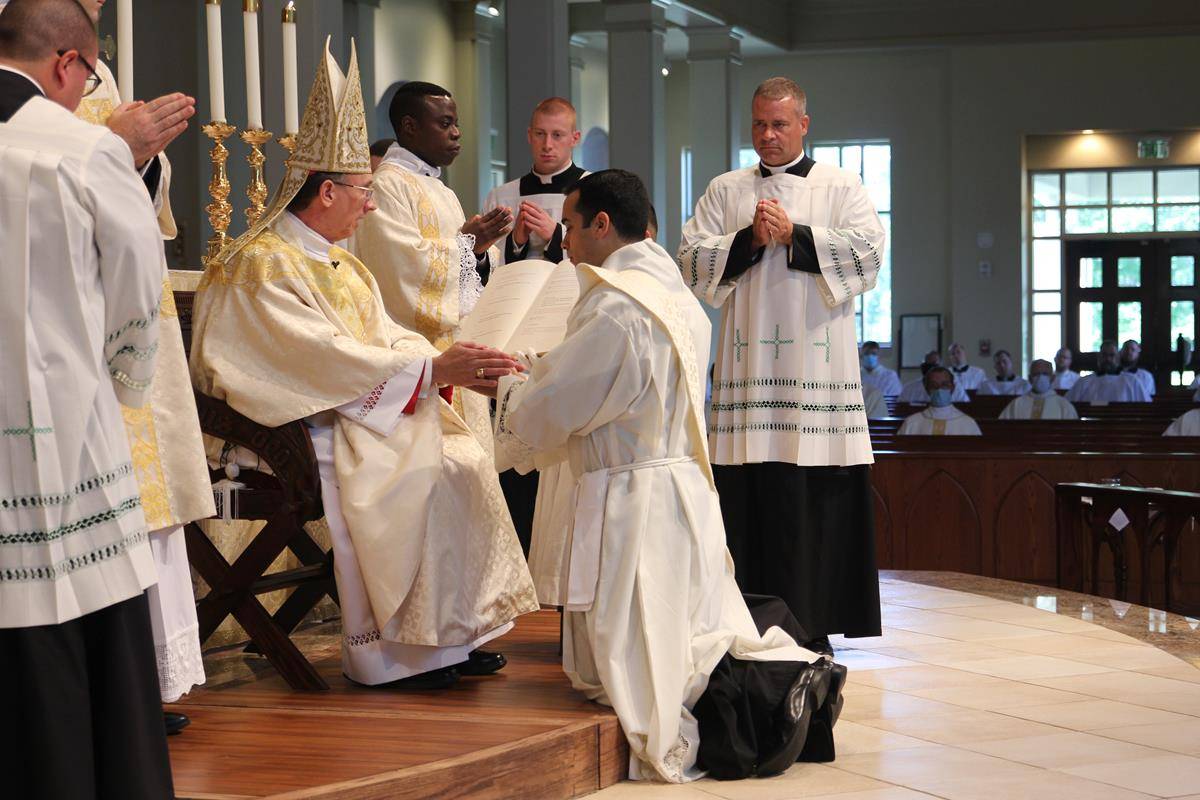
{"points": [[783, 249]]}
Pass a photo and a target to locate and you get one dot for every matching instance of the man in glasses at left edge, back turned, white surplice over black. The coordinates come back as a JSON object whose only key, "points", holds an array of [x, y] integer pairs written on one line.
{"points": [[81, 264]]}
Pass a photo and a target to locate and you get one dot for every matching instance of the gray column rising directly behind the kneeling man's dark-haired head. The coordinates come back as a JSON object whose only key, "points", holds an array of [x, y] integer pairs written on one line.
{"points": [[637, 93]]}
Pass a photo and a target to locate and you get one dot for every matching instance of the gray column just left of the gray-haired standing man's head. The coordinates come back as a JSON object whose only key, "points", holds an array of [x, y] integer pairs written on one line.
{"points": [[715, 56]]}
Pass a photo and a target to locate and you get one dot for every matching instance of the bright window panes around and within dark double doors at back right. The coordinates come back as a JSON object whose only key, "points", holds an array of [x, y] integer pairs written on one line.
{"points": [[1102, 203]]}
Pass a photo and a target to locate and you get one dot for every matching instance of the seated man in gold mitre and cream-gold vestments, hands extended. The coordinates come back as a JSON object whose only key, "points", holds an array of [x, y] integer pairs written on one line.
{"points": [[291, 327]]}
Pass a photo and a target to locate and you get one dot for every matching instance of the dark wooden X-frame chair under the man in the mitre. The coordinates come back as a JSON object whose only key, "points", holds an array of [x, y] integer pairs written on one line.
{"points": [[286, 500]]}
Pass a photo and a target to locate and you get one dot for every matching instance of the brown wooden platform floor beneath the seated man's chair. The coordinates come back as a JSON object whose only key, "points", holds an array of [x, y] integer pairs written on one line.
{"points": [[523, 733]]}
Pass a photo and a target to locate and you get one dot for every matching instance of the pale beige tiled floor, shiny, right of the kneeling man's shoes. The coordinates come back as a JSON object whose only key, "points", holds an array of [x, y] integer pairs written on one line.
{"points": [[989, 690]]}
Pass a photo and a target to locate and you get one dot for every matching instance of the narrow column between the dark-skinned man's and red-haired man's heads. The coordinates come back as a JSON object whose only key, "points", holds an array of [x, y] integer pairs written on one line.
{"points": [[470, 175]]}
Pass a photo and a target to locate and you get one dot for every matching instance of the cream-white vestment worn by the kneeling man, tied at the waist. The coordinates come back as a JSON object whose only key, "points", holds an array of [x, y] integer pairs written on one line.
{"points": [[652, 601]]}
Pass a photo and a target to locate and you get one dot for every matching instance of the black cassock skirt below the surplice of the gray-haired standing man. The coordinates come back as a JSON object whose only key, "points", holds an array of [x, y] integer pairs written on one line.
{"points": [[806, 534]]}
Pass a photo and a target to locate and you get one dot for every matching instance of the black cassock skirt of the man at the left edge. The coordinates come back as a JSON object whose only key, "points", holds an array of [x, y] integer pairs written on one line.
{"points": [[81, 708]]}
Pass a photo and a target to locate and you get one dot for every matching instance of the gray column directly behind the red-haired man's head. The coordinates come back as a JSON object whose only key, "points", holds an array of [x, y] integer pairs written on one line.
{"points": [[538, 41]]}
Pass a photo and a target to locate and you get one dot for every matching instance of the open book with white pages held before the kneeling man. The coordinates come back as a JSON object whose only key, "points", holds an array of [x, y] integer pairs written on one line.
{"points": [[524, 308]]}
